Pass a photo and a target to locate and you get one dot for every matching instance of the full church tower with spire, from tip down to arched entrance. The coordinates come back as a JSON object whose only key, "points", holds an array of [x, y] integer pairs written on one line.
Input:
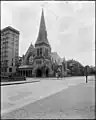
{"points": [[42, 49]]}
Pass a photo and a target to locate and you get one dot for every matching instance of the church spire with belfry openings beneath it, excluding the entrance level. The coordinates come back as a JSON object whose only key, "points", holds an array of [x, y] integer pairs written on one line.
{"points": [[42, 46]]}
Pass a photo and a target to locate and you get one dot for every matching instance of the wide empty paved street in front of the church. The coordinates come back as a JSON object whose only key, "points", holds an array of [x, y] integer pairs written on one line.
{"points": [[50, 98]]}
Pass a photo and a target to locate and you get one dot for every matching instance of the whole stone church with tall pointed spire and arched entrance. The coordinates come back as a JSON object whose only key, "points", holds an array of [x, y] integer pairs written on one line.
{"points": [[38, 60]]}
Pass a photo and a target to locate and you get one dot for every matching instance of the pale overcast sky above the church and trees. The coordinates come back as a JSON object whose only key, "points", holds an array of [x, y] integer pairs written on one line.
{"points": [[70, 26]]}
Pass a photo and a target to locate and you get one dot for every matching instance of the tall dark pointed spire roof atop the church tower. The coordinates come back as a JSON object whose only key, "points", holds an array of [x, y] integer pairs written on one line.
{"points": [[42, 36]]}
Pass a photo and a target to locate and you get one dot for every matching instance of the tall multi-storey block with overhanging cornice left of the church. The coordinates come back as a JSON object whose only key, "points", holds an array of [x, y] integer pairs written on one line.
{"points": [[9, 49]]}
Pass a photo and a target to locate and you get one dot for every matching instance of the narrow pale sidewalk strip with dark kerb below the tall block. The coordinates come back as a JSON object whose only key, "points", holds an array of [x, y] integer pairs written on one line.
{"points": [[28, 80]]}
